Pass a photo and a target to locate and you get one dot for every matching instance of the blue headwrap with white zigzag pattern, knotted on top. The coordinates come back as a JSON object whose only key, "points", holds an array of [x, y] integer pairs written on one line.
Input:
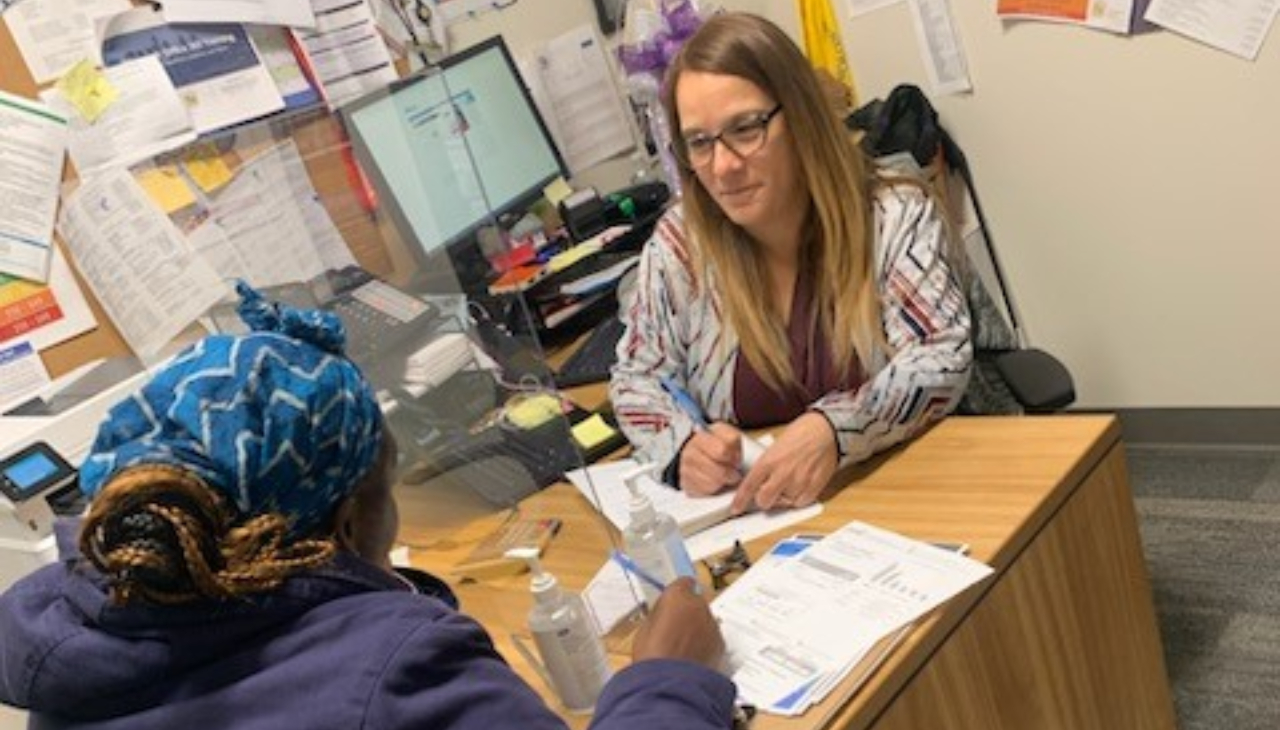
{"points": [[277, 419]]}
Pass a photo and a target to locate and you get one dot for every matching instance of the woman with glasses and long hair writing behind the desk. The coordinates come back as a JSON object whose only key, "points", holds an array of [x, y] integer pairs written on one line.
{"points": [[793, 286]]}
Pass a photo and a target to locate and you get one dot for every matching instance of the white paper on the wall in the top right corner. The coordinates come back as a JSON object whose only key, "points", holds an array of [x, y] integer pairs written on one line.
{"points": [[1235, 26]]}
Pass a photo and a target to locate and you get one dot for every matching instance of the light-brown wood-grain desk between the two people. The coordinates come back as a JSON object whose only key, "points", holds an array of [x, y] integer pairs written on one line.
{"points": [[1063, 636]]}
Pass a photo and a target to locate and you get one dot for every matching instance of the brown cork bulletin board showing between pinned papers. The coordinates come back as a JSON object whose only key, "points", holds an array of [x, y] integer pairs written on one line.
{"points": [[323, 148]]}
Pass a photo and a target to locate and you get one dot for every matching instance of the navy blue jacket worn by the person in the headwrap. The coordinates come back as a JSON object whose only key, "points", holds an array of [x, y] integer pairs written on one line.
{"points": [[346, 647]]}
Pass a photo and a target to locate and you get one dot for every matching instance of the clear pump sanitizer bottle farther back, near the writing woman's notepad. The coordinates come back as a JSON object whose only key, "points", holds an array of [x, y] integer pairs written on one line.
{"points": [[653, 540]]}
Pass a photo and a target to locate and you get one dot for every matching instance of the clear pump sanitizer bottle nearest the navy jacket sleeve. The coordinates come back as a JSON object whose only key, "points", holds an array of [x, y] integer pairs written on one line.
{"points": [[574, 660]]}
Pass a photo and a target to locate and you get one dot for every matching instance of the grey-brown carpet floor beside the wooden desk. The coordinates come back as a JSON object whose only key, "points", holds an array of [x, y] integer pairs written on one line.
{"points": [[1210, 523]]}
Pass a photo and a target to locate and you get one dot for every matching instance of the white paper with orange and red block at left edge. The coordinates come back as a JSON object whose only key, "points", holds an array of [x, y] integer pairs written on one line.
{"points": [[48, 314]]}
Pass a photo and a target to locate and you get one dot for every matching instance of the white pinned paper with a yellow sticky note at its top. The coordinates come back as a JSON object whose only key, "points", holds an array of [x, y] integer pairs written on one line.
{"points": [[147, 120]]}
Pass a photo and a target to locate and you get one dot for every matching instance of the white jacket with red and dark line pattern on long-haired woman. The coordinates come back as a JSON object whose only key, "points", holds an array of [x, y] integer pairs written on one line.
{"points": [[675, 328]]}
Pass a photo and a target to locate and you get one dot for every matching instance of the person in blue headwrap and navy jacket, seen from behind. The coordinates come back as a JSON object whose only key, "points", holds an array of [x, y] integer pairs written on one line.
{"points": [[234, 572]]}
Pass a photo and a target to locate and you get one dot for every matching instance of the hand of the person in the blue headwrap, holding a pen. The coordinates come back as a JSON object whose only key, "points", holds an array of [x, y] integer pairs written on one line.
{"points": [[680, 627]]}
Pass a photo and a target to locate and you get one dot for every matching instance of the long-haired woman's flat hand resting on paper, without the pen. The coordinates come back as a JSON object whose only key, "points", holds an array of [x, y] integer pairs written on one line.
{"points": [[794, 471]]}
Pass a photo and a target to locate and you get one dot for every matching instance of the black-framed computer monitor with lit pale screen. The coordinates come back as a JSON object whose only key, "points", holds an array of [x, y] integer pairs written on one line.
{"points": [[455, 149]]}
